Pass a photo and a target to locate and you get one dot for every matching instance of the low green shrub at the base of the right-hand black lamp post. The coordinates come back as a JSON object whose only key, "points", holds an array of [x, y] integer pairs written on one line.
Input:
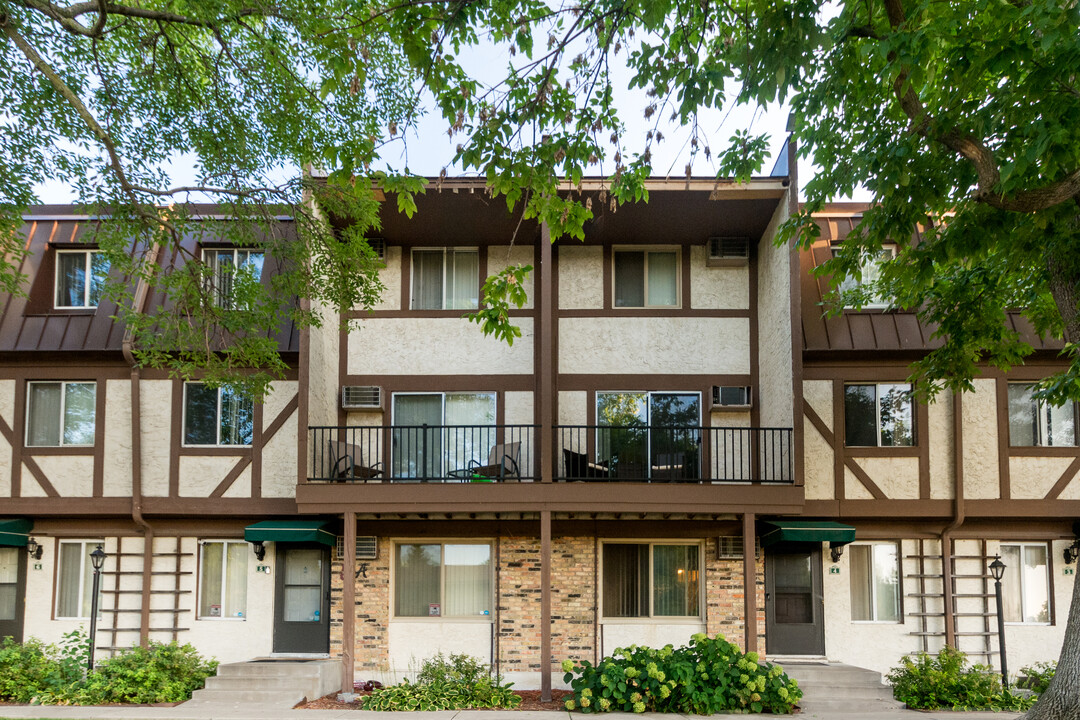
{"points": [[929, 684]]}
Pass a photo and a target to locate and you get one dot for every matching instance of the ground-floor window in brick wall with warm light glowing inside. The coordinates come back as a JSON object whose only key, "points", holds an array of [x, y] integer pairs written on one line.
{"points": [[652, 580]]}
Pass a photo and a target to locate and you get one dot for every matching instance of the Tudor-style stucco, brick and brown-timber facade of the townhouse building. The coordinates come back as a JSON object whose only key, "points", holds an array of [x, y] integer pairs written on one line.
{"points": [[678, 424]]}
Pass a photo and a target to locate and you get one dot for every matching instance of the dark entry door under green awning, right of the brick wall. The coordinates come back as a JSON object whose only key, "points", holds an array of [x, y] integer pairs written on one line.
{"points": [[794, 605]]}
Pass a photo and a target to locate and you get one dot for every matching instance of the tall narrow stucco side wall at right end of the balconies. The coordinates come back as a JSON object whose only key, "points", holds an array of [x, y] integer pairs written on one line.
{"points": [[775, 327]]}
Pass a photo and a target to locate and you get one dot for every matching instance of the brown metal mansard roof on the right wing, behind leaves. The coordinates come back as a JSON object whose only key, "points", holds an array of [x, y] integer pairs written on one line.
{"points": [[869, 331]]}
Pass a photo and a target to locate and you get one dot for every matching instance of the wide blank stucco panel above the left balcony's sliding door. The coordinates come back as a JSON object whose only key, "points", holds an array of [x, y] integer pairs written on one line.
{"points": [[436, 346]]}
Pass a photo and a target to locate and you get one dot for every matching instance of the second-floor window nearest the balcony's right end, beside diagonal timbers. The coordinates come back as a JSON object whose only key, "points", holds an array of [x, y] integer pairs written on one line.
{"points": [[879, 416]]}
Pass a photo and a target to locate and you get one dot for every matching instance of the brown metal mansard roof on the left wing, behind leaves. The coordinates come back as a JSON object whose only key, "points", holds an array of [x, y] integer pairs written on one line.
{"points": [[31, 324]]}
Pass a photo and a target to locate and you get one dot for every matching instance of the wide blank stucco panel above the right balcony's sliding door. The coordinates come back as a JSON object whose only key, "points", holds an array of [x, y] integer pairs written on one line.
{"points": [[655, 346]]}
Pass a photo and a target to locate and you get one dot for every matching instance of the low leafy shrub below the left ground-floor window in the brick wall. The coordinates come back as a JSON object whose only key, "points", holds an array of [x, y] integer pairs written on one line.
{"points": [[454, 683]]}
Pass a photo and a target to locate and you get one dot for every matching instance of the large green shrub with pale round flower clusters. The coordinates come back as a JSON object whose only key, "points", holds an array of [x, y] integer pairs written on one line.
{"points": [[706, 677]]}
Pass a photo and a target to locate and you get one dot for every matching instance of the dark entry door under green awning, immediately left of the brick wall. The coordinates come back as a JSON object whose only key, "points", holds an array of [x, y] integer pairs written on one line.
{"points": [[303, 600]]}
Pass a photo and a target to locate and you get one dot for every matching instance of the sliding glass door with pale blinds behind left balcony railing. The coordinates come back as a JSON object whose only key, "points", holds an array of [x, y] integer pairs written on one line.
{"points": [[437, 434]]}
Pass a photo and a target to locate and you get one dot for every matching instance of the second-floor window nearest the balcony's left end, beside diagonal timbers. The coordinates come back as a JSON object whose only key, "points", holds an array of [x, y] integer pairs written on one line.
{"points": [[217, 416]]}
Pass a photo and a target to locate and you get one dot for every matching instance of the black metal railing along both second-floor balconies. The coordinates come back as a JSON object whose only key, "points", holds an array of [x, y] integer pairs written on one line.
{"points": [[502, 454]]}
